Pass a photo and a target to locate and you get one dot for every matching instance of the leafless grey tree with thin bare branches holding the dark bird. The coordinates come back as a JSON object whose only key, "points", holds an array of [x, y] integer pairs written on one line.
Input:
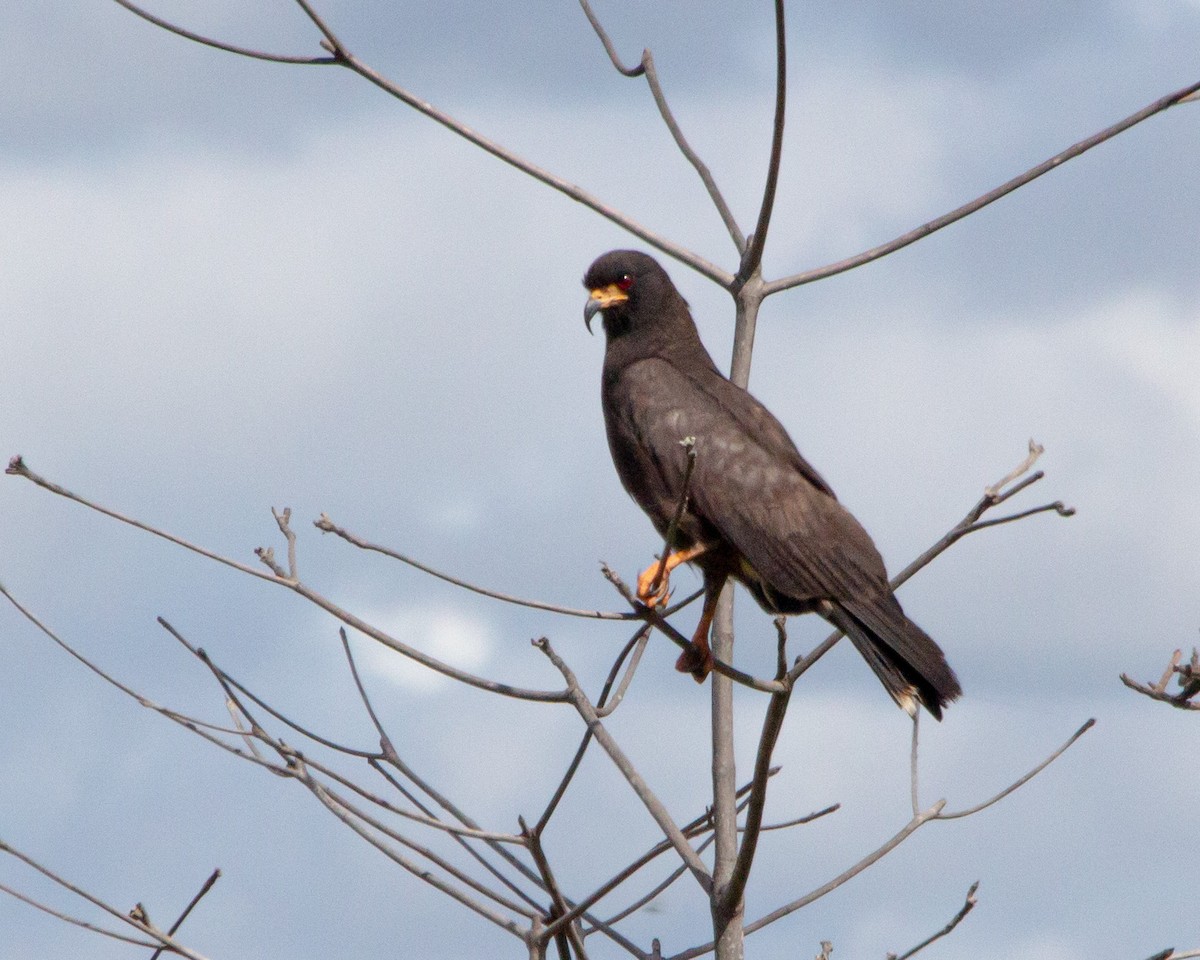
{"points": [[509, 877]]}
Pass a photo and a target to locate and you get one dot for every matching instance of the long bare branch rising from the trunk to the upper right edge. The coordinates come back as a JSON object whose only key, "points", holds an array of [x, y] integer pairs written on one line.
{"points": [[992, 196]]}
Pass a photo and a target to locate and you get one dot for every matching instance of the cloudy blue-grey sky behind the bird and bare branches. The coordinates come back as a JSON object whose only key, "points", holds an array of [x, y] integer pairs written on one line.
{"points": [[229, 286]]}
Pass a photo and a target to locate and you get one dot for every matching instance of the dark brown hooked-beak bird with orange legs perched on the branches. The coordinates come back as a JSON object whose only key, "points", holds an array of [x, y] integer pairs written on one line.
{"points": [[749, 508]]}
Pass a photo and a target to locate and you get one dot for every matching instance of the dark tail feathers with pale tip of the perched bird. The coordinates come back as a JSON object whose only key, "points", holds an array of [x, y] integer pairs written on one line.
{"points": [[908, 662]]}
